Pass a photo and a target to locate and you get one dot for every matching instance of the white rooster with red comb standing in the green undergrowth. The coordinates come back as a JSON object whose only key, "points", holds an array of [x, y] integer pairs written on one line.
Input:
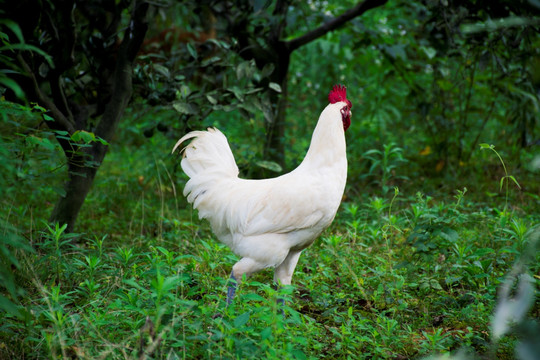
{"points": [[269, 222]]}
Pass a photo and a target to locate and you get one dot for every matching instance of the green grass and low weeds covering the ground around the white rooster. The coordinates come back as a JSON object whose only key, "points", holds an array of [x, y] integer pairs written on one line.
{"points": [[398, 275]]}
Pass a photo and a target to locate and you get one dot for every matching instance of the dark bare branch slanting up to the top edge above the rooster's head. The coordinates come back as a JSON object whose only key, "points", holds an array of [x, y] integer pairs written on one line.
{"points": [[333, 24]]}
